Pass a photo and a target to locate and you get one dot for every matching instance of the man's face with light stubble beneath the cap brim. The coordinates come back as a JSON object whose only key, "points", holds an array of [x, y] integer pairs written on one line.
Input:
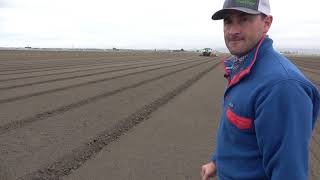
{"points": [[243, 31]]}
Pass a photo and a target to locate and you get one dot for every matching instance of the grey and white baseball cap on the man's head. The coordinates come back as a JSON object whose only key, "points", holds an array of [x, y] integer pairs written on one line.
{"points": [[247, 6]]}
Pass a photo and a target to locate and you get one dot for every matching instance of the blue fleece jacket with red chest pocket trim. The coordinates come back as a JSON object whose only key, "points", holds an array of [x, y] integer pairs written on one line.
{"points": [[269, 111]]}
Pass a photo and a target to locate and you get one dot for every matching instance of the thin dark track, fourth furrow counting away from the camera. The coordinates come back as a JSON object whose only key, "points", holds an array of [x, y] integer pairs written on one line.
{"points": [[78, 76]]}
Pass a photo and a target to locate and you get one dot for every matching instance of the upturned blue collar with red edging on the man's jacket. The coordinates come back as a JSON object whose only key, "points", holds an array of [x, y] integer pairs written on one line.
{"points": [[248, 63]]}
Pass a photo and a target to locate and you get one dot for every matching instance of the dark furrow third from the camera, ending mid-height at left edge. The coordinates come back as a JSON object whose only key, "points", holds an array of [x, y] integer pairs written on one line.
{"points": [[12, 99]]}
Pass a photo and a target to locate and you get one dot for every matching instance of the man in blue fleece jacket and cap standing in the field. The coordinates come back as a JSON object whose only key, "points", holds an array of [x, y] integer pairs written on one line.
{"points": [[270, 107]]}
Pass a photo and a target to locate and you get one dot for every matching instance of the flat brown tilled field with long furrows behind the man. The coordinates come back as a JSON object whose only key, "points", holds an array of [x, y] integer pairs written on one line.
{"points": [[114, 115]]}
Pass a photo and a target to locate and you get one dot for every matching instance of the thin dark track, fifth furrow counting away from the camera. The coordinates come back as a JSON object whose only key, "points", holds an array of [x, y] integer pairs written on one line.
{"points": [[74, 71]]}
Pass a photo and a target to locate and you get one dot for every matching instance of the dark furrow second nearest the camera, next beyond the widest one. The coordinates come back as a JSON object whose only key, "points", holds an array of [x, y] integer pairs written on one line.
{"points": [[41, 116]]}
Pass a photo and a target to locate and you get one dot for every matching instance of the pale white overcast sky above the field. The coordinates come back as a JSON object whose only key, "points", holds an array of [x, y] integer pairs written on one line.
{"points": [[144, 24]]}
